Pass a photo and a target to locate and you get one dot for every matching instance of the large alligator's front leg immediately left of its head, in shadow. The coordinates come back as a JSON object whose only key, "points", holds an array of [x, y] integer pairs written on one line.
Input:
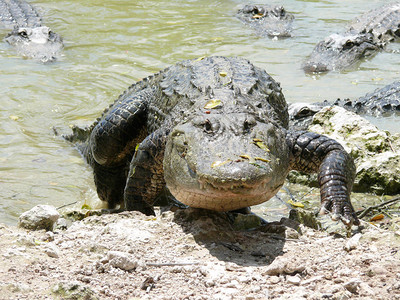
{"points": [[146, 176]]}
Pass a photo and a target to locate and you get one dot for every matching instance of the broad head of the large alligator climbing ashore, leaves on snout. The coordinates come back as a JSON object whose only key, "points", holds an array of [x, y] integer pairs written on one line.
{"points": [[225, 162]]}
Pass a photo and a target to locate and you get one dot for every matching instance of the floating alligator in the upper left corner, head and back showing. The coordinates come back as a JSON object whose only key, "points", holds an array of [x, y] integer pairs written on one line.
{"points": [[28, 35]]}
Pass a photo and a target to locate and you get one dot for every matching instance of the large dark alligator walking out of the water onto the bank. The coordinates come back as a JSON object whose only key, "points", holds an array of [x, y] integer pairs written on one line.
{"points": [[214, 131]]}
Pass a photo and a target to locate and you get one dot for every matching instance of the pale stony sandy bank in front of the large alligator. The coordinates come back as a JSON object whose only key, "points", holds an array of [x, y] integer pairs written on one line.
{"points": [[195, 254]]}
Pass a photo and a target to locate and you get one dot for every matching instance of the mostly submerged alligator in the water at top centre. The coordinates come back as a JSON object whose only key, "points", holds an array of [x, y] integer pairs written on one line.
{"points": [[271, 21]]}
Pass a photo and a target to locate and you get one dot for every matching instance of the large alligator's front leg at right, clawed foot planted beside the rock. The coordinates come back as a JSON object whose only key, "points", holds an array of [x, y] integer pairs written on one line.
{"points": [[311, 152]]}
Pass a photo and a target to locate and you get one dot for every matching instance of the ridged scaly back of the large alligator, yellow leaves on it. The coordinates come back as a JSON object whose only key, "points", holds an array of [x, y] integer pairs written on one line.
{"points": [[216, 85]]}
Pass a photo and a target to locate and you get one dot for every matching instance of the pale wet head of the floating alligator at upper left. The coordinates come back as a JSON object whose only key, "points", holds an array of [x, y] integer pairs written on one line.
{"points": [[38, 42]]}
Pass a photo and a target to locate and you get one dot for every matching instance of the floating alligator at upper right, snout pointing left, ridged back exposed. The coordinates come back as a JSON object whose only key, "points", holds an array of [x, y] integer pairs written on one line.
{"points": [[365, 36]]}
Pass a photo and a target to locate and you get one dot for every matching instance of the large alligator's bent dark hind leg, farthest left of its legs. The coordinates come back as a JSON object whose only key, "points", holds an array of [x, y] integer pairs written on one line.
{"points": [[112, 143]]}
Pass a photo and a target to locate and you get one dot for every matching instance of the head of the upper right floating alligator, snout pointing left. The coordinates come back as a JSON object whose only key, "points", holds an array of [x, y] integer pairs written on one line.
{"points": [[338, 52]]}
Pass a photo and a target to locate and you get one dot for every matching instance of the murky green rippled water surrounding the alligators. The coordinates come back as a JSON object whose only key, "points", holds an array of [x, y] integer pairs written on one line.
{"points": [[110, 44]]}
